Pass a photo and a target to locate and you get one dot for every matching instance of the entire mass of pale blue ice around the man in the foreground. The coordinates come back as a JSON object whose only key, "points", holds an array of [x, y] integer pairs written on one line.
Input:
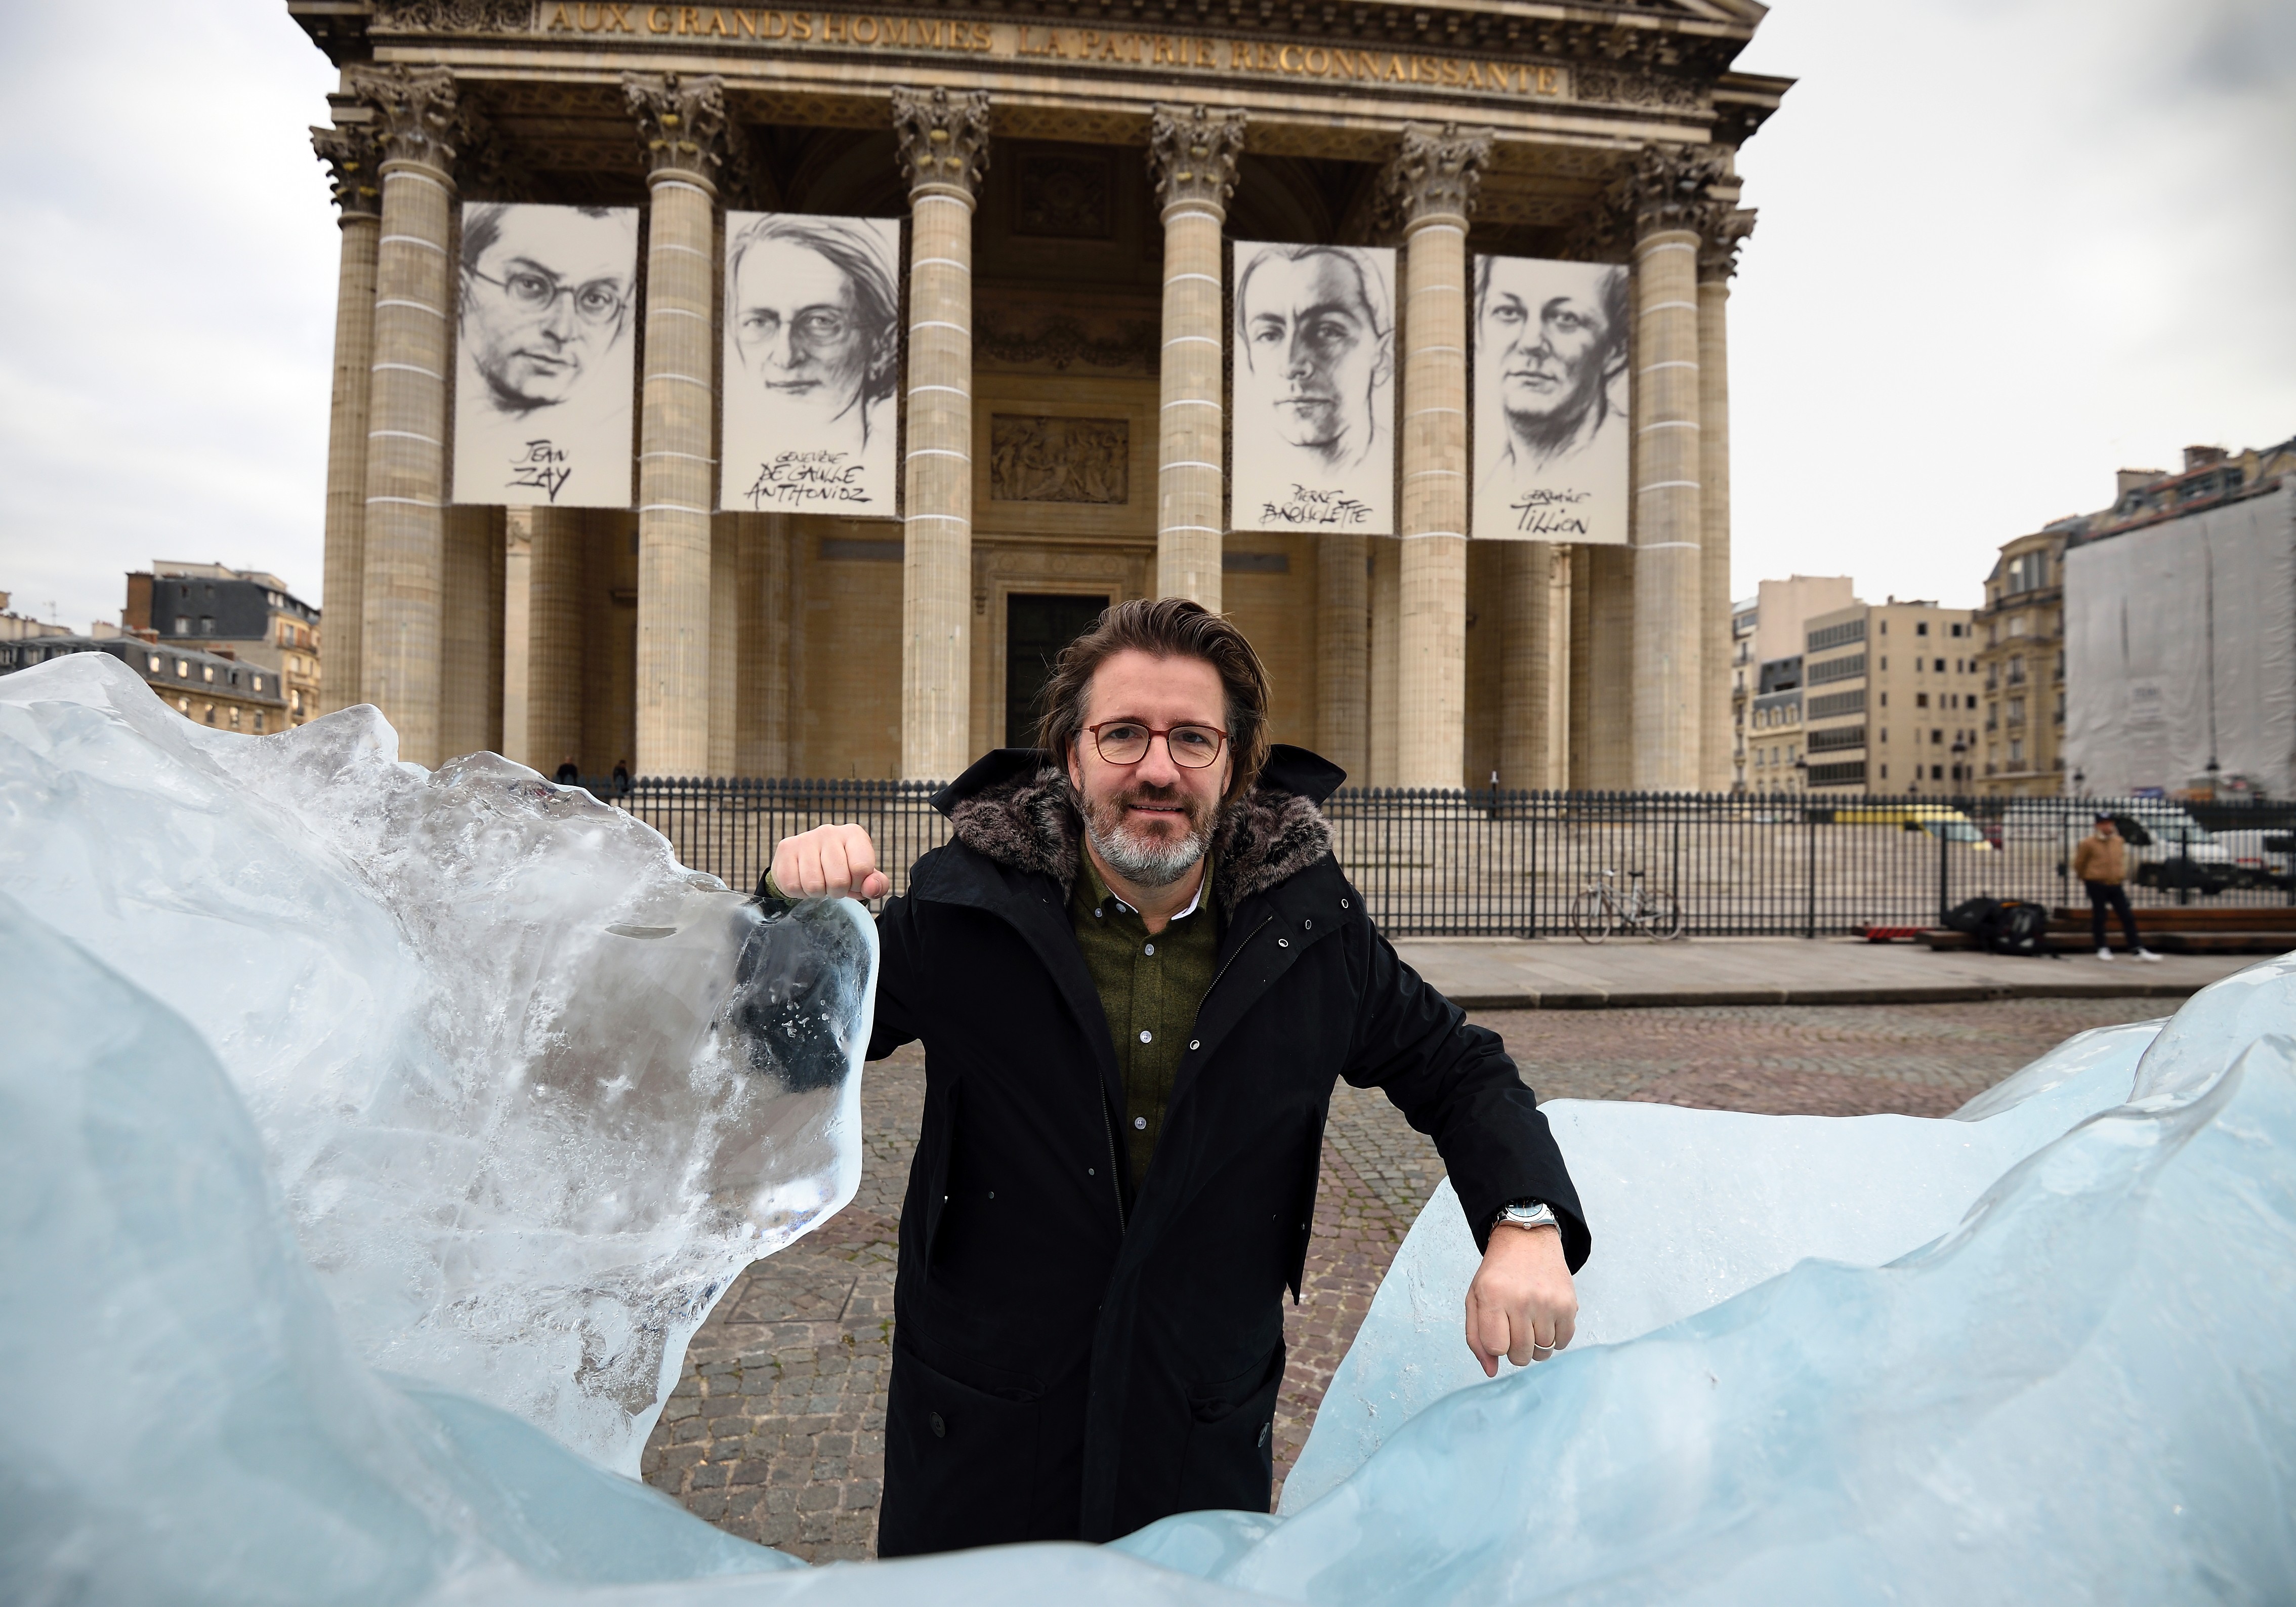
{"points": [[362, 1098]]}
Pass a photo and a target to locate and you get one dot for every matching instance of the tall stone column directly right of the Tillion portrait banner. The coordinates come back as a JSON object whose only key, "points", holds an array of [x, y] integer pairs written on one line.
{"points": [[1670, 199]]}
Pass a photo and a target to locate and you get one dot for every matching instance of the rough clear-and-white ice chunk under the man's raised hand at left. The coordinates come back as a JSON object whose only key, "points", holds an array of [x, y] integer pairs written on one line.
{"points": [[532, 1089]]}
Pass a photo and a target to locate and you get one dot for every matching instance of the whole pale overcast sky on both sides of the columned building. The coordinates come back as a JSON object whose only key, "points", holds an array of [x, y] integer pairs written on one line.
{"points": [[2006, 249]]}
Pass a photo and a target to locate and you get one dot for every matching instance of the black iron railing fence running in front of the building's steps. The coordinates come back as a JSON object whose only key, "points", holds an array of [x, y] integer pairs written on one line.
{"points": [[1510, 864]]}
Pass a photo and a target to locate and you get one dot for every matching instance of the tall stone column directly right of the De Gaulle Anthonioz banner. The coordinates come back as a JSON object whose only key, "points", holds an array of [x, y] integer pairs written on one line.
{"points": [[945, 153]]}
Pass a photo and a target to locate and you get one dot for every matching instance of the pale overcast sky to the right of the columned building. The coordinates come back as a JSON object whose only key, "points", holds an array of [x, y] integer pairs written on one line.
{"points": [[2006, 249]]}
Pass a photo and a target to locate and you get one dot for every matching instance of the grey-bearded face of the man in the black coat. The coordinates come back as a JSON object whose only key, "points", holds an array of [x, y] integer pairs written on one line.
{"points": [[1151, 821]]}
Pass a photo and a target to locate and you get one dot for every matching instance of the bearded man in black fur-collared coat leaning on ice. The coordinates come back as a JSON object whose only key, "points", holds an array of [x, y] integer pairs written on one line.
{"points": [[1138, 972]]}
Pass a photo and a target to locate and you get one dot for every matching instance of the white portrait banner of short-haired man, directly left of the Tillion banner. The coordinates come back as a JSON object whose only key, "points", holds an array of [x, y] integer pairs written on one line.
{"points": [[1314, 389]]}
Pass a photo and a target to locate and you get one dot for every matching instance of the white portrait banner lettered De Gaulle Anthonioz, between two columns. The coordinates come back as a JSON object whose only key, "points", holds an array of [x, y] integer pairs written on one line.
{"points": [[812, 366]]}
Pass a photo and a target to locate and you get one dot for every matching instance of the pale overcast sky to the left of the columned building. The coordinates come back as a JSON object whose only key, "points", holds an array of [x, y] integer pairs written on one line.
{"points": [[166, 302]]}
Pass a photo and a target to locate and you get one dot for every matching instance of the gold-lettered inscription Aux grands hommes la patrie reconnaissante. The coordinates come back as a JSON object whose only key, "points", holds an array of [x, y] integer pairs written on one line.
{"points": [[1069, 45]]}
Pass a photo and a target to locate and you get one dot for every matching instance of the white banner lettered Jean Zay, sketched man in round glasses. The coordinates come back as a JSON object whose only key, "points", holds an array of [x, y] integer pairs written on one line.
{"points": [[543, 373]]}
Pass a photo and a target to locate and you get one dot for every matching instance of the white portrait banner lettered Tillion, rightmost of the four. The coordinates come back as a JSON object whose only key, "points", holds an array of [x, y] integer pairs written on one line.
{"points": [[1551, 401]]}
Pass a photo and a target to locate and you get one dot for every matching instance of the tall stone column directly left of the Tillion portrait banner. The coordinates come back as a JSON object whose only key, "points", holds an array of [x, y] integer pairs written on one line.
{"points": [[1432, 187]]}
